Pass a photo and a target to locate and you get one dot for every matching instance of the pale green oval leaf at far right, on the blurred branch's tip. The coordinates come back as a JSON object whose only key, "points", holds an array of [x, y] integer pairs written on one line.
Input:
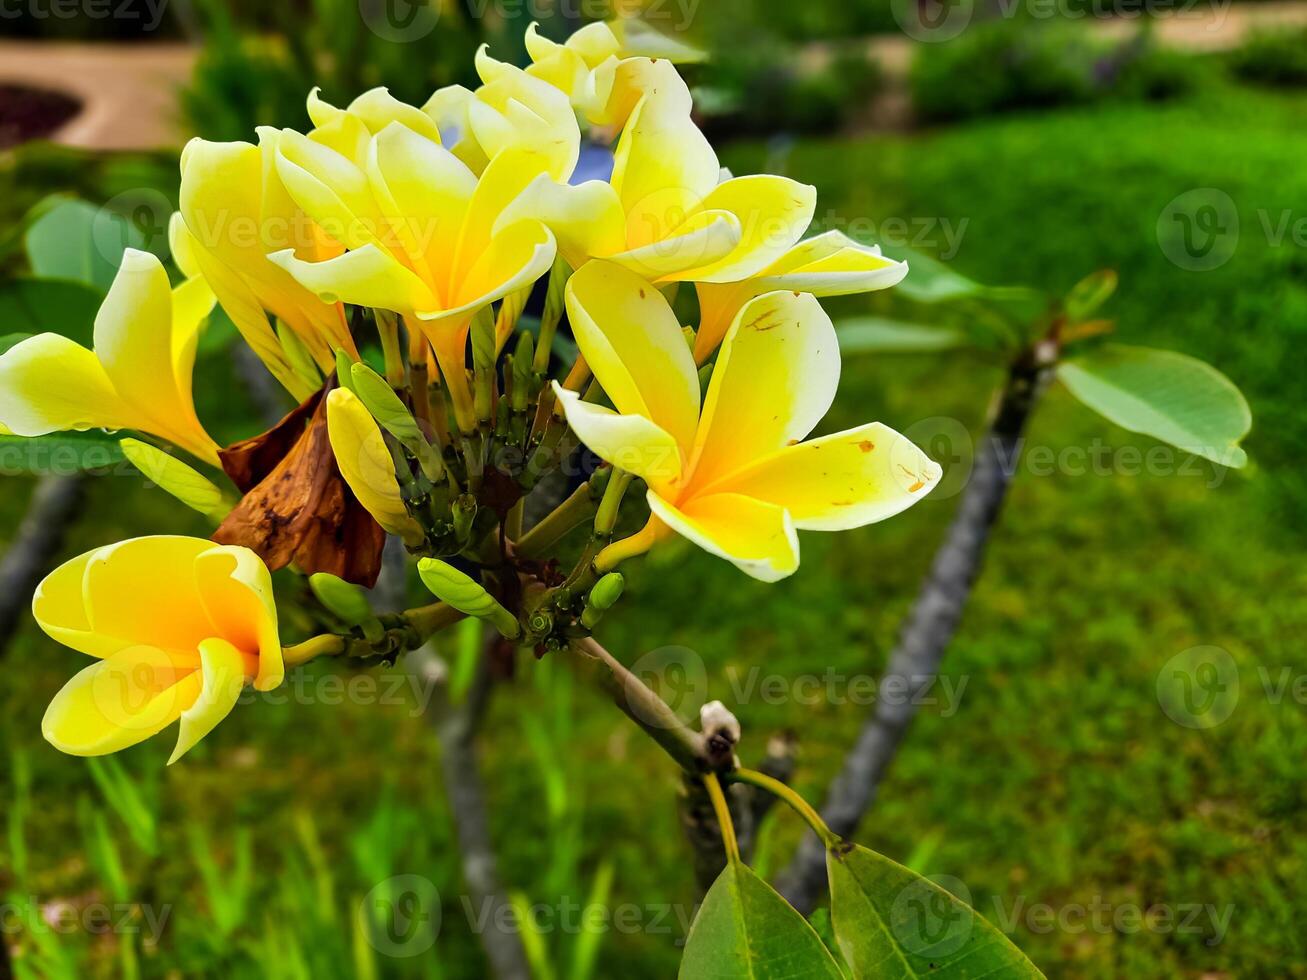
{"points": [[1170, 397]]}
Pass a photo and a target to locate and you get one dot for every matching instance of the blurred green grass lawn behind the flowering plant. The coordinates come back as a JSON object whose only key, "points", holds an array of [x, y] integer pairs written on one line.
{"points": [[1058, 781]]}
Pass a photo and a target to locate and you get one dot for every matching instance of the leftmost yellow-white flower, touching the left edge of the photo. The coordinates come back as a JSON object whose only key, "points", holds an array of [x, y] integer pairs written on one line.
{"points": [[139, 376]]}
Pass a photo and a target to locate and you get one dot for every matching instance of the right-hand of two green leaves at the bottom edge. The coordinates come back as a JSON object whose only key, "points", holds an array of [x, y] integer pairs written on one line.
{"points": [[893, 924]]}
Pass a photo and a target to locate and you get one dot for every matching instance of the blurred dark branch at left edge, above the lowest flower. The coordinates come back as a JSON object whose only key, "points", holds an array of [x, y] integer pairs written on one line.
{"points": [[40, 536]]}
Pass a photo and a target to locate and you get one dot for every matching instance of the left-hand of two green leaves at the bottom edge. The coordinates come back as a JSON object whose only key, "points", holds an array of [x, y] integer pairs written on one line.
{"points": [[746, 930]]}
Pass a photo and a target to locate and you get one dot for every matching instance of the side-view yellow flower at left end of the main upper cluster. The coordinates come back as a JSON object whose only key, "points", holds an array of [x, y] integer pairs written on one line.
{"points": [[235, 212]]}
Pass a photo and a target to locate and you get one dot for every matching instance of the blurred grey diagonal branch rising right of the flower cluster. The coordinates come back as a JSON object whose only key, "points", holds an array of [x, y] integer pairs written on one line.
{"points": [[929, 630]]}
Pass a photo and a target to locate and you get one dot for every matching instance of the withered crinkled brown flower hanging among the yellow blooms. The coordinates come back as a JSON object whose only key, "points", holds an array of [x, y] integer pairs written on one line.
{"points": [[297, 506]]}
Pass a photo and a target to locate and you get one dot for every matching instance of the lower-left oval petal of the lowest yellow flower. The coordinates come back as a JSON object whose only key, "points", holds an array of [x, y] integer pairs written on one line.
{"points": [[120, 702]]}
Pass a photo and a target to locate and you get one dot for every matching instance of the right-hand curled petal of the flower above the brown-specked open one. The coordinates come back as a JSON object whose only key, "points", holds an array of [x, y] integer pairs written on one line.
{"points": [[773, 212]]}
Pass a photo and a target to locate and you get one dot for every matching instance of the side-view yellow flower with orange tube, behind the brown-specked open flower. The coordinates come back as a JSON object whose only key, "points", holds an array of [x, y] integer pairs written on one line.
{"points": [[827, 266]]}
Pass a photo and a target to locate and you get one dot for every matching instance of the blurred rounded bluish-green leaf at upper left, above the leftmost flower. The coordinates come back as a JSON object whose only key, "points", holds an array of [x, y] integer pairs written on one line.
{"points": [[78, 241]]}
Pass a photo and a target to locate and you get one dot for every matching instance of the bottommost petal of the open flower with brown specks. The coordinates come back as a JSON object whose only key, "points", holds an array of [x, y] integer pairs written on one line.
{"points": [[756, 536]]}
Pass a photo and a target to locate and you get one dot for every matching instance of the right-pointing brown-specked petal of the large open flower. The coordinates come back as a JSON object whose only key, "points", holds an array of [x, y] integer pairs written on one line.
{"points": [[840, 482]]}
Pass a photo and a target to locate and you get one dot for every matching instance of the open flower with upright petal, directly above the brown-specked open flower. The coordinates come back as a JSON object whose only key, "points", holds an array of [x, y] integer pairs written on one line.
{"points": [[667, 215]]}
